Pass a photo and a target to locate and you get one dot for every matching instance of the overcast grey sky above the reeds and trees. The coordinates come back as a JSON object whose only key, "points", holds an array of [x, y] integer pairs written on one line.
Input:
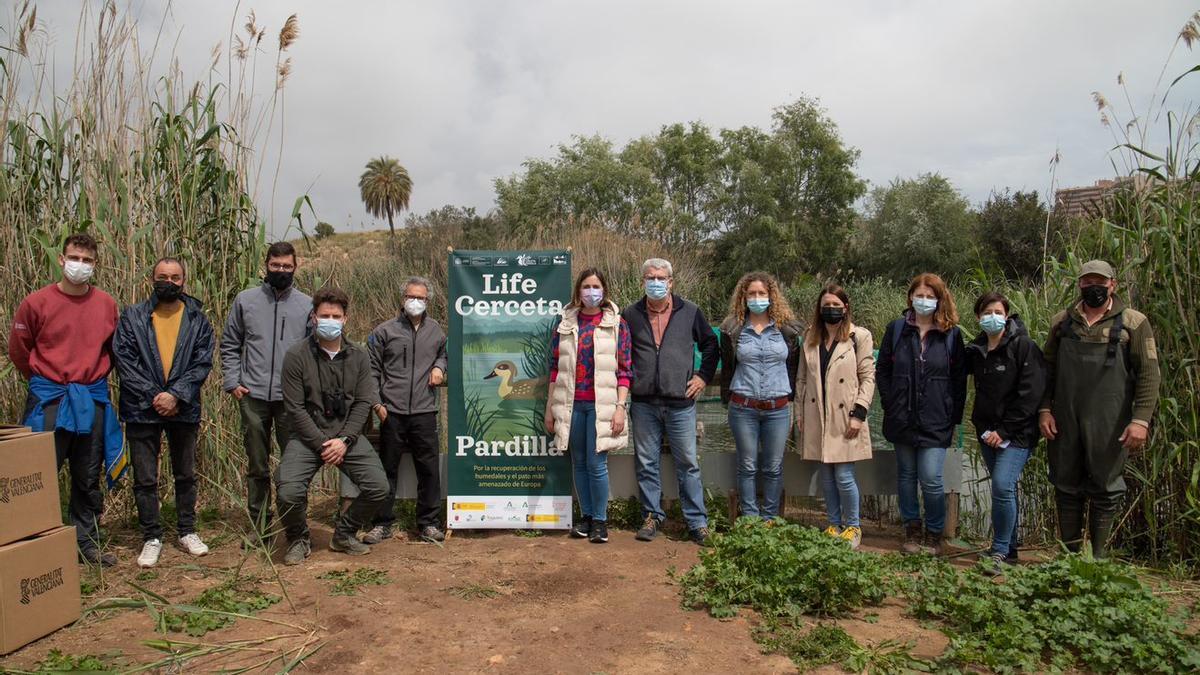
{"points": [[464, 92]]}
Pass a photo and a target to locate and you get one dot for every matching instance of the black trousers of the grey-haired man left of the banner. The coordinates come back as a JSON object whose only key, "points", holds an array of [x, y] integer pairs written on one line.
{"points": [[417, 434]]}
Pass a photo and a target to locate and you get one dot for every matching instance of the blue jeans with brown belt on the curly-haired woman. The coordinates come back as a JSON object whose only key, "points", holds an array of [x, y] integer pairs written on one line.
{"points": [[760, 437]]}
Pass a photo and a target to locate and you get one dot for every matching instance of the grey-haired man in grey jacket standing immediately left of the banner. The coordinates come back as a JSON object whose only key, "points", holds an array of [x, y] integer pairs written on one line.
{"points": [[409, 359]]}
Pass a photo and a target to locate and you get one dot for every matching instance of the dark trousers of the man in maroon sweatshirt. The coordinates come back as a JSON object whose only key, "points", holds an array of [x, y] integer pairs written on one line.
{"points": [[86, 455]]}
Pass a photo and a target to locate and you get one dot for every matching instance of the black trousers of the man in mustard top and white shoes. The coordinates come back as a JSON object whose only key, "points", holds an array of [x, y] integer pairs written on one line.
{"points": [[146, 443]]}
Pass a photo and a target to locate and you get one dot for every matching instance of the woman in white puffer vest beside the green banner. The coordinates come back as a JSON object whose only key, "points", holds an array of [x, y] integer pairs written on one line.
{"points": [[590, 379]]}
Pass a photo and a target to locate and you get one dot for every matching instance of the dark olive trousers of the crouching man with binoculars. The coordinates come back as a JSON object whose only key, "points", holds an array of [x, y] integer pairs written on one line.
{"points": [[301, 464]]}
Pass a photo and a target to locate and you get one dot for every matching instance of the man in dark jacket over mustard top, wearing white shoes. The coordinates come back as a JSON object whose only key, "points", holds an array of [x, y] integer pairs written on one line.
{"points": [[164, 350]]}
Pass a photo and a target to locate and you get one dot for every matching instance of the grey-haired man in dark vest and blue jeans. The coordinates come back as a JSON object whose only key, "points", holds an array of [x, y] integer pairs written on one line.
{"points": [[665, 330]]}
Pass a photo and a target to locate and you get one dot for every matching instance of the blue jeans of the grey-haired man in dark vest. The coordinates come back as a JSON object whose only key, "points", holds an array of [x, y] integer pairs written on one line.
{"points": [[651, 423]]}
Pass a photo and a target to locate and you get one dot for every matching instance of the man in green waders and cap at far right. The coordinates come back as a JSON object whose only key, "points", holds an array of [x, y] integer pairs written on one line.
{"points": [[1102, 390]]}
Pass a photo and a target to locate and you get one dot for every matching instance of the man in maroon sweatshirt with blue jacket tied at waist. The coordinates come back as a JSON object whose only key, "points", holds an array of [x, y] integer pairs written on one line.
{"points": [[62, 343]]}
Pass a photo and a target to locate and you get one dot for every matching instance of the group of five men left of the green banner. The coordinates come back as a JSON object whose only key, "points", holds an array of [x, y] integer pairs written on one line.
{"points": [[285, 361]]}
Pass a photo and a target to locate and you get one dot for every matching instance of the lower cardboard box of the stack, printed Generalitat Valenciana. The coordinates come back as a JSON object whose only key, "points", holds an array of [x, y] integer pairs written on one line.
{"points": [[39, 588]]}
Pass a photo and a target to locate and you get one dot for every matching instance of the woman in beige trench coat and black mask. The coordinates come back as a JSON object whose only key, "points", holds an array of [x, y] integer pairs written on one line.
{"points": [[835, 386]]}
